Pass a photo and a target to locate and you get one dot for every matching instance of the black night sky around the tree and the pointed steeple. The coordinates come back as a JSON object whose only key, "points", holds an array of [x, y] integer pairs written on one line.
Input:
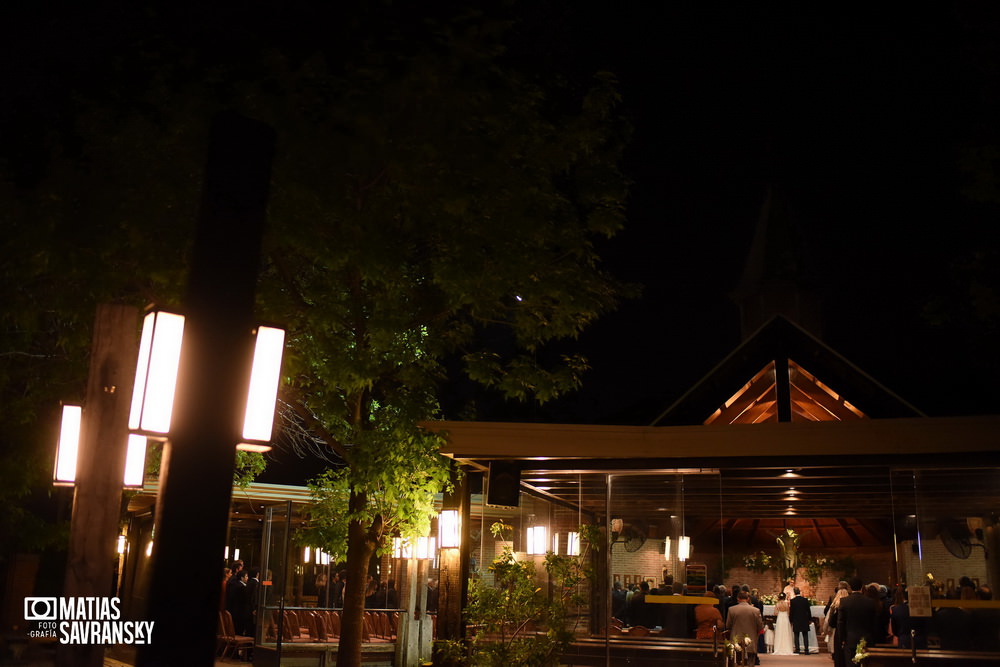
{"points": [[879, 127]]}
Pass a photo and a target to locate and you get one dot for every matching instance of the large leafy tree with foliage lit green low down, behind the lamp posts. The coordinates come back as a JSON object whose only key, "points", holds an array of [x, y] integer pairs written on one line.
{"points": [[433, 208]]}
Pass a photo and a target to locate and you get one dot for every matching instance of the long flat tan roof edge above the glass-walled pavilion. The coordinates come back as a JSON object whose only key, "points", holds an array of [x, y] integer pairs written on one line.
{"points": [[906, 441]]}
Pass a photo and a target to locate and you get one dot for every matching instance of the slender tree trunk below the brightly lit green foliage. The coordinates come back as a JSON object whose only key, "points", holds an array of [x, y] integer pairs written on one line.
{"points": [[360, 547]]}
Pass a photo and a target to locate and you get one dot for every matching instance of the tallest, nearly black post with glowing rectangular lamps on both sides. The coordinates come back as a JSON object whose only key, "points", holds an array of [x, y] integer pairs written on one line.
{"points": [[196, 477]]}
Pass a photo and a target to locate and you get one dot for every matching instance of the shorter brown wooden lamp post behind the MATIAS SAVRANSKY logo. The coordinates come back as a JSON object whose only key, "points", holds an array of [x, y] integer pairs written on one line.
{"points": [[97, 498]]}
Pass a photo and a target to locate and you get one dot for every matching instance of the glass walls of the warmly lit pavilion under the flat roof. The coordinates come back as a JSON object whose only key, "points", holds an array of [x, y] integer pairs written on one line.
{"points": [[933, 533]]}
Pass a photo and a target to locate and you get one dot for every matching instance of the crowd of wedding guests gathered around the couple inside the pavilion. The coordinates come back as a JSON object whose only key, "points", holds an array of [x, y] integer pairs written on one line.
{"points": [[873, 612]]}
